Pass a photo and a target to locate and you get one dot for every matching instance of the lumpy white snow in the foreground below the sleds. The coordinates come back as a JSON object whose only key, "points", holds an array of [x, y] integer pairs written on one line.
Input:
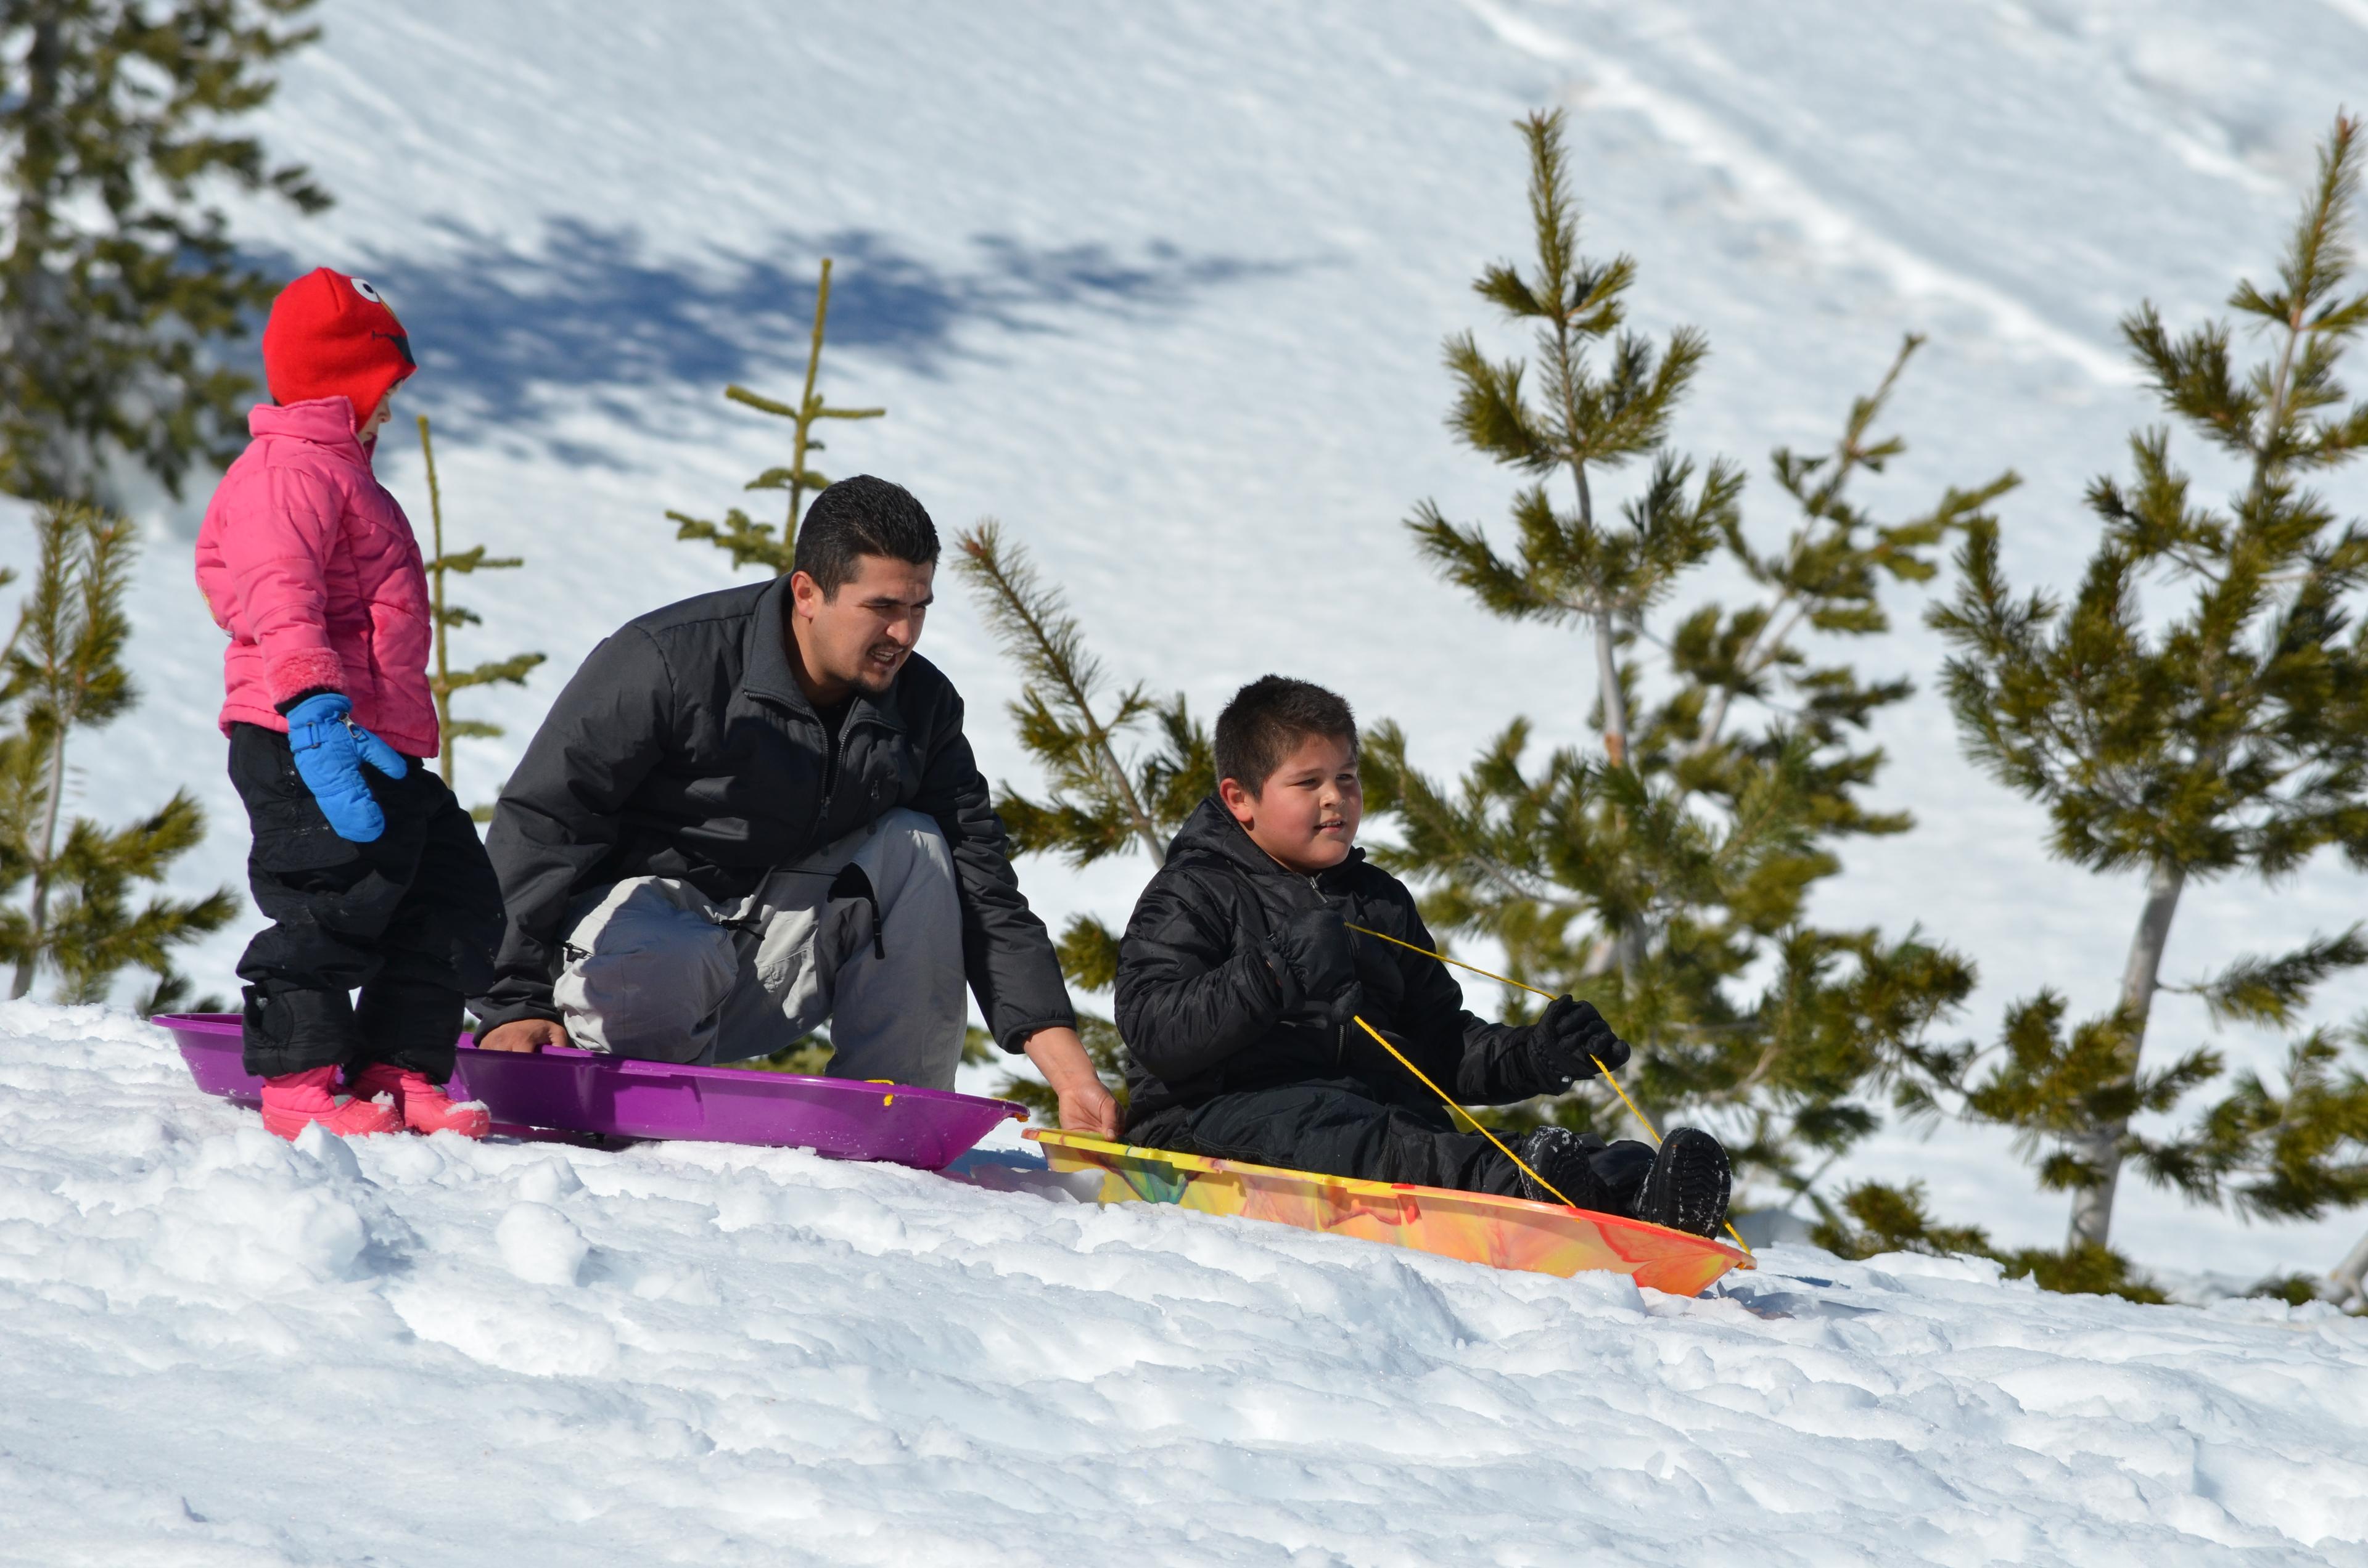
{"points": [[231, 1351]]}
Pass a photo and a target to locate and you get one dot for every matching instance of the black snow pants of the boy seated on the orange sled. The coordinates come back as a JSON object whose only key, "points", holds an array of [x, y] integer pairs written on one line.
{"points": [[1339, 1129]]}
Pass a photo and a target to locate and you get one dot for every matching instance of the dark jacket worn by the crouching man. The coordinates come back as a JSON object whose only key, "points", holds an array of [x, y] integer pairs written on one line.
{"points": [[683, 747]]}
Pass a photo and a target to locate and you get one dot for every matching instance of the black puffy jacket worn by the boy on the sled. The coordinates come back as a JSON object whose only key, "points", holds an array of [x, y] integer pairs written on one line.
{"points": [[1202, 1010]]}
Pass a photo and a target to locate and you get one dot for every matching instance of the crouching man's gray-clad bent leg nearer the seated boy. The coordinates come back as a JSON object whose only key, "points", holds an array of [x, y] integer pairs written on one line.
{"points": [[866, 934]]}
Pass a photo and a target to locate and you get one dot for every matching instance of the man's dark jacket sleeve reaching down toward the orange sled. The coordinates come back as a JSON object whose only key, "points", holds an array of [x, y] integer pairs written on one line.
{"points": [[1005, 951]]}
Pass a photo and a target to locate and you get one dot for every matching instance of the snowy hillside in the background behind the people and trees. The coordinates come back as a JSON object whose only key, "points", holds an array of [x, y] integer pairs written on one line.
{"points": [[1164, 288]]}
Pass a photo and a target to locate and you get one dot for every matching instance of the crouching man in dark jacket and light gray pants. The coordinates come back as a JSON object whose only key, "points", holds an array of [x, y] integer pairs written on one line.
{"points": [[752, 814]]}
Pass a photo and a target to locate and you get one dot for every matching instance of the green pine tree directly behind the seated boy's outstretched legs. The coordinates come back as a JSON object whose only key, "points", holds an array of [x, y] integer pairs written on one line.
{"points": [[1661, 878]]}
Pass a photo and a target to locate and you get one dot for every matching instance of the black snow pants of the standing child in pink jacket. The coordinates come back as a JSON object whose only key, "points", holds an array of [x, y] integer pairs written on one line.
{"points": [[408, 920]]}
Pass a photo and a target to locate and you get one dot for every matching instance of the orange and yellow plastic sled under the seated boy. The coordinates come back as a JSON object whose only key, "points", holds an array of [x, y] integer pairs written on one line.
{"points": [[1465, 1226]]}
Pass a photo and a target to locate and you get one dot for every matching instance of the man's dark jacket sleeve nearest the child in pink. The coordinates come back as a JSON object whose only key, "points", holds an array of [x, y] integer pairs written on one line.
{"points": [[560, 814]]}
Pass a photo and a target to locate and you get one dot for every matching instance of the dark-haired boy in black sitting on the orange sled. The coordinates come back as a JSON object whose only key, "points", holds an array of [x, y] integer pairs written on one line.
{"points": [[1240, 989]]}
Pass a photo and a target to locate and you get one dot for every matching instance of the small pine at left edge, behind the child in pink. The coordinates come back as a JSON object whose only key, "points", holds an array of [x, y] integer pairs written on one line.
{"points": [[65, 671]]}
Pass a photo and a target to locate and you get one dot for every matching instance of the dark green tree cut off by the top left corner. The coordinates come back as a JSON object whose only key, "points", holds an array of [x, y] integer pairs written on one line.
{"points": [[117, 278]]}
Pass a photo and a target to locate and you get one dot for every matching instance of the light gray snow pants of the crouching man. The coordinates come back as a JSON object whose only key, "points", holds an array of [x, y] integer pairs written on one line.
{"points": [[863, 934]]}
